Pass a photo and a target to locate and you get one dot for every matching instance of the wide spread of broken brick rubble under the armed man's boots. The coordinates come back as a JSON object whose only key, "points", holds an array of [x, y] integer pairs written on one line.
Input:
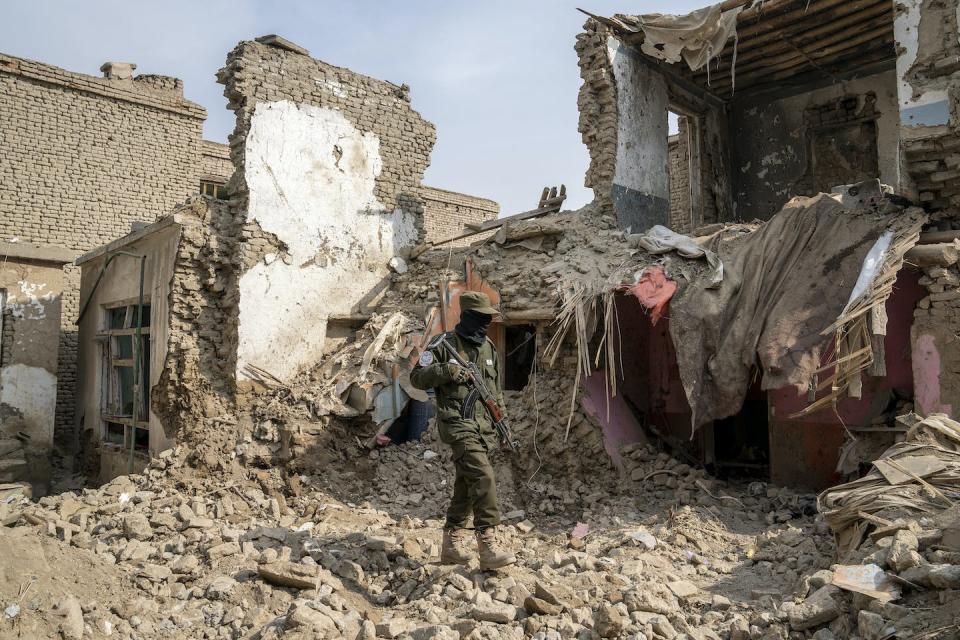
{"points": [[350, 553]]}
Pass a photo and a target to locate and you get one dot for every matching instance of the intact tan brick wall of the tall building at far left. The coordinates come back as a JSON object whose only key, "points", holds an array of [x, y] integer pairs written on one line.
{"points": [[83, 158]]}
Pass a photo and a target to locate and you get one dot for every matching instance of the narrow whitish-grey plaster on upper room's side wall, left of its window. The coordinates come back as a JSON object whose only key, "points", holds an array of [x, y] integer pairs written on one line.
{"points": [[642, 129]]}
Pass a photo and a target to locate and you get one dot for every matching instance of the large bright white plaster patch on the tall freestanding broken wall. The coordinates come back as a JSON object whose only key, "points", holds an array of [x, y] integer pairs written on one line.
{"points": [[310, 175]]}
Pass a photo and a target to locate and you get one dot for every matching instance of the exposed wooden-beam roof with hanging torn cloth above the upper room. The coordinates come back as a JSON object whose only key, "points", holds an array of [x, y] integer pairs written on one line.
{"points": [[742, 45]]}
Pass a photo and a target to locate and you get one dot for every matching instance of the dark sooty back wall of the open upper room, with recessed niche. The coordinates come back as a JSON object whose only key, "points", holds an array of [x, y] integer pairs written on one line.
{"points": [[808, 139]]}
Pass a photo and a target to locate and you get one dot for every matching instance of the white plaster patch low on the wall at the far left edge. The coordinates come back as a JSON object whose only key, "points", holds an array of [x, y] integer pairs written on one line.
{"points": [[33, 392]]}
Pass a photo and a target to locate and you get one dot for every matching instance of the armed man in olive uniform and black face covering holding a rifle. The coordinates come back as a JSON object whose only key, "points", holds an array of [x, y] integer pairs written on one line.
{"points": [[468, 427]]}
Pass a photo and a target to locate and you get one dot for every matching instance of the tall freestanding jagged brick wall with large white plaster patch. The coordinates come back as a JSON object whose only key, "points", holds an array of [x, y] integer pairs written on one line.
{"points": [[326, 189]]}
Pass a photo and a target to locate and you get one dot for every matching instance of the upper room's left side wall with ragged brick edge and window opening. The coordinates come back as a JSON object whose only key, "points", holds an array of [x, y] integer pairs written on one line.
{"points": [[624, 101]]}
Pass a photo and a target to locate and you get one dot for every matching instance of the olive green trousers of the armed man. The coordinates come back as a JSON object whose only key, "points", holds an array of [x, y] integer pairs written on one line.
{"points": [[475, 489]]}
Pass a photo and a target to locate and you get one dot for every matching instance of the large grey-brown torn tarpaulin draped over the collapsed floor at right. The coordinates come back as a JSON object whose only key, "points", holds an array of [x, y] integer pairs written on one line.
{"points": [[783, 286]]}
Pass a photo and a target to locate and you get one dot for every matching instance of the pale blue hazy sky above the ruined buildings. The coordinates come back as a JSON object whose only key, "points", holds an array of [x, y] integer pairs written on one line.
{"points": [[499, 79]]}
